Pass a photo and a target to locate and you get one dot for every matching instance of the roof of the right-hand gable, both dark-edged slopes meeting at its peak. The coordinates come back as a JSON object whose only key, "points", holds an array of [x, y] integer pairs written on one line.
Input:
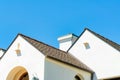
{"points": [[111, 43]]}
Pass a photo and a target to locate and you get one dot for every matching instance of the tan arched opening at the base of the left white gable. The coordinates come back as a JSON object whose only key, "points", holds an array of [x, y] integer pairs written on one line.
{"points": [[18, 73]]}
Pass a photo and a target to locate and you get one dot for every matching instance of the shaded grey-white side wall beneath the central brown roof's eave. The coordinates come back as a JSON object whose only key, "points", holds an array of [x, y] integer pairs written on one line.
{"points": [[55, 70]]}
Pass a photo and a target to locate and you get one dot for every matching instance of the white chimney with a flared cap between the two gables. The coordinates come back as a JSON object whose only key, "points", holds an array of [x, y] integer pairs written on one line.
{"points": [[65, 42]]}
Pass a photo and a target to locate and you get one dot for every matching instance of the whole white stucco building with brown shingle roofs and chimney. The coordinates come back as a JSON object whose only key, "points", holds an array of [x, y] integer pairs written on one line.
{"points": [[87, 57]]}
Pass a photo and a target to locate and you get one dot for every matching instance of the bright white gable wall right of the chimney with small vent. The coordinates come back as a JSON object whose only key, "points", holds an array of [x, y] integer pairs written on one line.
{"points": [[102, 58]]}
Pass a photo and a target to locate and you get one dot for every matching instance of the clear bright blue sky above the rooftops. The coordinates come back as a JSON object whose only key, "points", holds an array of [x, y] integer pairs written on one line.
{"points": [[46, 20]]}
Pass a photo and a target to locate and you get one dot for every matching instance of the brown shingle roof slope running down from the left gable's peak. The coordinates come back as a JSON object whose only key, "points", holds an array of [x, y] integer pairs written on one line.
{"points": [[57, 54]]}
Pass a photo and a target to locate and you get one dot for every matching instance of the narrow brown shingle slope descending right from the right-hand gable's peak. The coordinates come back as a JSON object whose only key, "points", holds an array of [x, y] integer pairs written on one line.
{"points": [[111, 43]]}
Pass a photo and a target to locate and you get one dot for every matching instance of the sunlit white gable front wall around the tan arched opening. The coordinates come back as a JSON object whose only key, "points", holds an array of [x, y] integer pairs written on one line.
{"points": [[31, 59]]}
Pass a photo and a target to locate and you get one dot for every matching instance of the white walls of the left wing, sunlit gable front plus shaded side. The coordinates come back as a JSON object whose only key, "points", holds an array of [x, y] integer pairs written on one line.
{"points": [[37, 64]]}
